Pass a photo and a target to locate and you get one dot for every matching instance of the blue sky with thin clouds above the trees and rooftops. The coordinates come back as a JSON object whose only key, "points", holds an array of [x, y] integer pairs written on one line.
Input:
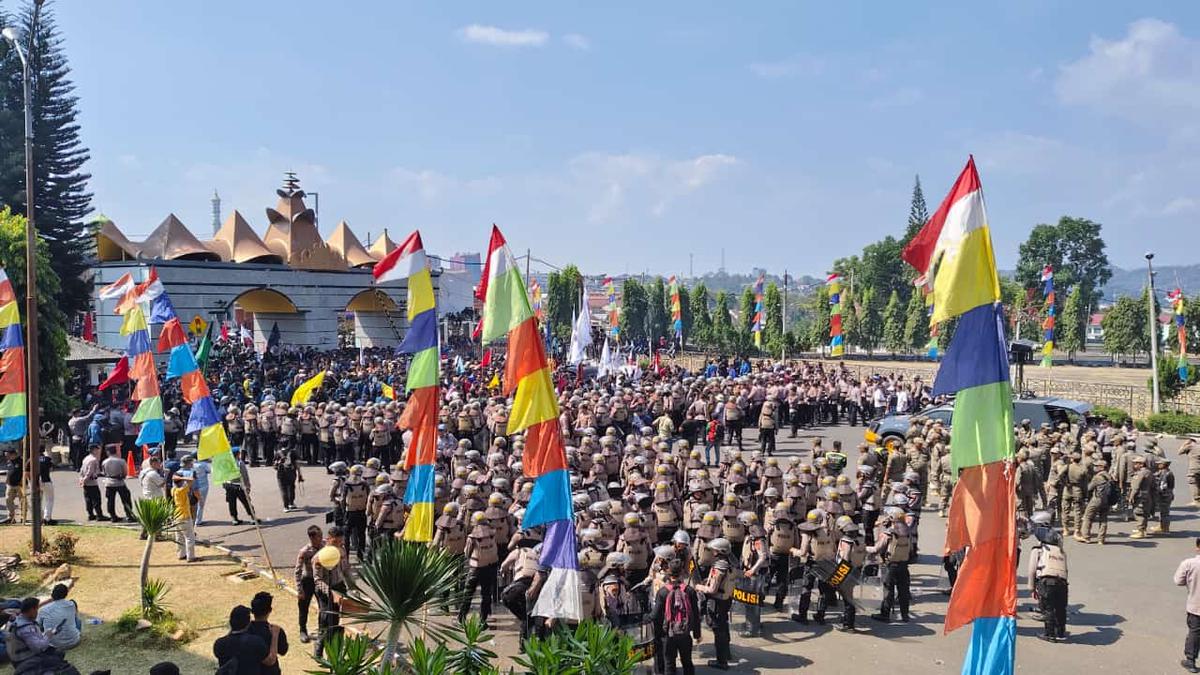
{"points": [[625, 136]]}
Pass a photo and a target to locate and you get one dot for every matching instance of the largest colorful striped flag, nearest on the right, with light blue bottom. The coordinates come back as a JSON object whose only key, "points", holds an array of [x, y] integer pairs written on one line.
{"points": [[953, 254]]}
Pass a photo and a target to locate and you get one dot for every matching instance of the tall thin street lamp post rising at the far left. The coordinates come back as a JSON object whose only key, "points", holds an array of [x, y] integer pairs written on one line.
{"points": [[33, 431]]}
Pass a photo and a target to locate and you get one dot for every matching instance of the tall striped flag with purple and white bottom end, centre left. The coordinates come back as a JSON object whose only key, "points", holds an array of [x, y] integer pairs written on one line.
{"points": [[507, 314]]}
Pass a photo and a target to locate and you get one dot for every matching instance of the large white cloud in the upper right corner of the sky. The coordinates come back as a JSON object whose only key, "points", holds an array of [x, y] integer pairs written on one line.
{"points": [[1151, 76]]}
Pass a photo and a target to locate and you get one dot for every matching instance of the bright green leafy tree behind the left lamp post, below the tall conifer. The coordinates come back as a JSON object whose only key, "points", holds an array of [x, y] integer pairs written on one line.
{"points": [[52, 336]]}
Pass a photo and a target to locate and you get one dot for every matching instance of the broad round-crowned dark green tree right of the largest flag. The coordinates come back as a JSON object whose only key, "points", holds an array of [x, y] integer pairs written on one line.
{"points": [[1076, 252]]}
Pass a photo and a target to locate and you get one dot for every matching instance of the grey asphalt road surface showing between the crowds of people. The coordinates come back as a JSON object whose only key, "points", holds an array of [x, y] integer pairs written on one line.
{"points": [[1126, 616]]}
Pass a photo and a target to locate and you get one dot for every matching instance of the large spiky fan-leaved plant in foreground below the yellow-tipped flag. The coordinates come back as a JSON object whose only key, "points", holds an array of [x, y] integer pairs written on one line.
{"points": [[399, 583]]}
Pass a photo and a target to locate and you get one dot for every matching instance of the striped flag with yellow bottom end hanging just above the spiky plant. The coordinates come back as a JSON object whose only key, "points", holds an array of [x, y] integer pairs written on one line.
{"points": [[422, 414]]}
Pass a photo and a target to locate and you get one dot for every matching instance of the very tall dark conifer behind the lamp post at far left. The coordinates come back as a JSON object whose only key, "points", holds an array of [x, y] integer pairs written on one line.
{"points": [[61, 188]]}
